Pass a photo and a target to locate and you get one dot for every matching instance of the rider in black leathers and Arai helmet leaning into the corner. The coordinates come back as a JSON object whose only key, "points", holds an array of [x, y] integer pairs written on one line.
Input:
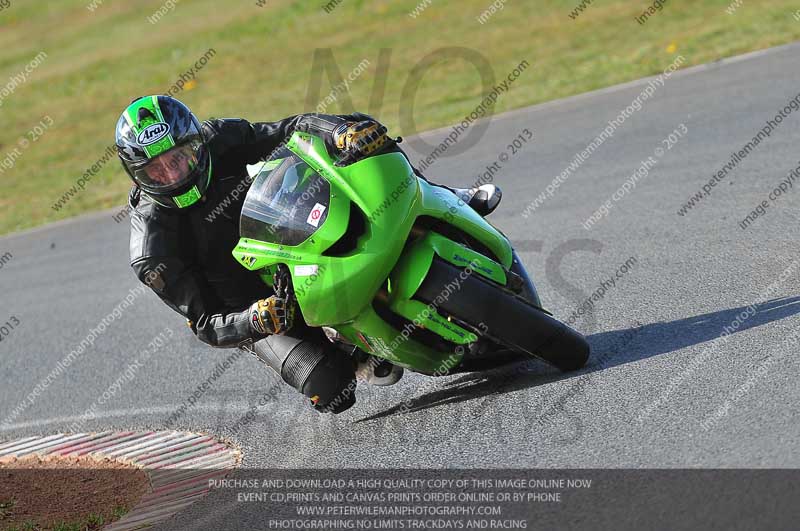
{"points": [[183, 171]]}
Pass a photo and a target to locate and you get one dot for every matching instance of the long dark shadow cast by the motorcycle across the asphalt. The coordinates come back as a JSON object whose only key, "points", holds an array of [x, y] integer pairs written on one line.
{"points": [[609, 349]]}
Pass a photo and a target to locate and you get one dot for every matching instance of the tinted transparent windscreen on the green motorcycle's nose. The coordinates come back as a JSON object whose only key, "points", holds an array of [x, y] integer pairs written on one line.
{"points": [[287, 203]]}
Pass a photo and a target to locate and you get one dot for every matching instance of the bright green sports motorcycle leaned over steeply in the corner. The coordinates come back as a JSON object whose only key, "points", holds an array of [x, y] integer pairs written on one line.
{"points": [[401, 269]]}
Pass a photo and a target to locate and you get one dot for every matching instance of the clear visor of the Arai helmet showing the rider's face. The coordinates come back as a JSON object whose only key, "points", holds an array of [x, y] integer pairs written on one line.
{"points": [[170, 170]]}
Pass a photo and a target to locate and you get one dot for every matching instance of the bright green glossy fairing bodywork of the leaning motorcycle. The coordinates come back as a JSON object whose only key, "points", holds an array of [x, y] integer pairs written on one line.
{"points": [[338, 291]]}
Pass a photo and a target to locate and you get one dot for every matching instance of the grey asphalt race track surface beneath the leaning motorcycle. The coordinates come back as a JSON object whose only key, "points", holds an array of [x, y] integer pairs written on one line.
{"points": [[659, 391]]}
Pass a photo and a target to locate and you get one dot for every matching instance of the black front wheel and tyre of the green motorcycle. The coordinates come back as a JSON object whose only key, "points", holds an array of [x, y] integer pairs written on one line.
{"points": [[505, 318]]}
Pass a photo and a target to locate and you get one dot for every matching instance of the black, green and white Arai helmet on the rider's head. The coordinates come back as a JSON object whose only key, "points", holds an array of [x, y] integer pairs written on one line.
{"points": [[161, 146]]}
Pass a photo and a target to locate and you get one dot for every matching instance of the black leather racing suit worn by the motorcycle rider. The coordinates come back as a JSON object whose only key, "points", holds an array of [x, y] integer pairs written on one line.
{"points": [[186, 257]]}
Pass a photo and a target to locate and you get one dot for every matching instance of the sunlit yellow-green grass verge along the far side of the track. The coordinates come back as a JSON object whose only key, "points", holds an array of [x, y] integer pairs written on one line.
{"points": [[97, 62]]}
